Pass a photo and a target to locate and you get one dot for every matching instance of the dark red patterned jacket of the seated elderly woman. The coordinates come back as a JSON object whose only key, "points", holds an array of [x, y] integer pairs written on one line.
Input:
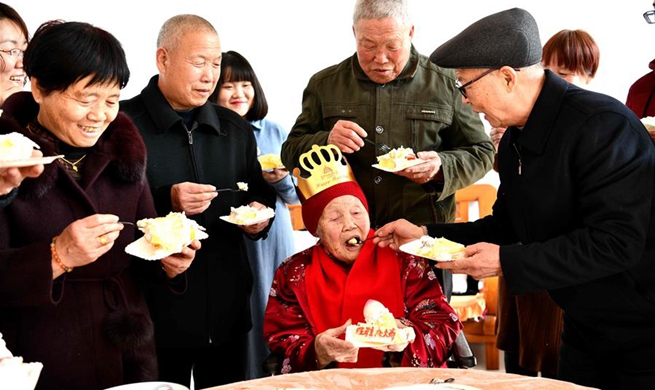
{"points": [[290, 330]]}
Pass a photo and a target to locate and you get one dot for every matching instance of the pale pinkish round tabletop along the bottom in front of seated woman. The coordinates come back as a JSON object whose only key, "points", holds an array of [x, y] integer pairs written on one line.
{"points": [[381, 378]]}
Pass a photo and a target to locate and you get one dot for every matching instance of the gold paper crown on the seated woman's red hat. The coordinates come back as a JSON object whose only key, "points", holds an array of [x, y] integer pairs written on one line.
{"points": [[325, 166]]}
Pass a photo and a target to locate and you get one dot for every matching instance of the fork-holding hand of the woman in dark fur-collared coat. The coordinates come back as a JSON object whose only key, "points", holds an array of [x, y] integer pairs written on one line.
{"points": [[85, 240]]}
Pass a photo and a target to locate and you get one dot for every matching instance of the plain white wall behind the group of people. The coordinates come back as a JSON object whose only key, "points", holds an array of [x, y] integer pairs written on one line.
{"points": [[289, 40]]}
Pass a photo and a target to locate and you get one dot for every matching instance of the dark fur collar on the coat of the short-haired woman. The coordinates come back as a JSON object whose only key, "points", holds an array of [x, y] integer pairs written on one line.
{"points": [[121, 144]]}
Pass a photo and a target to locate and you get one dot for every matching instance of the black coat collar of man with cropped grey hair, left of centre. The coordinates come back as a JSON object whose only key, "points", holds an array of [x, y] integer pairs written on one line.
{"points": [[165, 117]]}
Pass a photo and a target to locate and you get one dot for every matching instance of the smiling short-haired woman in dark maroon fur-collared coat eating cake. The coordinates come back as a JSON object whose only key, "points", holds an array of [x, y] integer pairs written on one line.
{"points": [[69, 295]]}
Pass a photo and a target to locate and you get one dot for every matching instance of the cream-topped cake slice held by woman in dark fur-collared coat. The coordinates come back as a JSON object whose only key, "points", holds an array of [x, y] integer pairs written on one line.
{"points": [[172, 232]]}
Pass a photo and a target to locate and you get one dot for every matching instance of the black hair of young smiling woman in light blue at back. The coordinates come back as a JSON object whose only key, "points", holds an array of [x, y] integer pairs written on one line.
{"points": [[235, 67]]}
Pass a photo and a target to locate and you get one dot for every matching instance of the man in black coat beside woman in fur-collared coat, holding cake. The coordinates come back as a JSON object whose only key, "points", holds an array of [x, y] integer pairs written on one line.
{"points": [[195, 148]]}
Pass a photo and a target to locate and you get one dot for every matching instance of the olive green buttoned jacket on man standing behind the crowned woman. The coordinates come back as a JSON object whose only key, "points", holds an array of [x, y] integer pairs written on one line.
{"points": [[421, 109]]}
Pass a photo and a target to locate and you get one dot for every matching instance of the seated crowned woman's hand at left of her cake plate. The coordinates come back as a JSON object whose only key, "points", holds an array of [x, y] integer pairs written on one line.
{"points": [[330, 348]]}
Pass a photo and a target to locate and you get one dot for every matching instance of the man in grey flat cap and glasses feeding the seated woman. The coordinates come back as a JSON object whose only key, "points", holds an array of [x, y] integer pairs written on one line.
{"points": [[574, 214]]}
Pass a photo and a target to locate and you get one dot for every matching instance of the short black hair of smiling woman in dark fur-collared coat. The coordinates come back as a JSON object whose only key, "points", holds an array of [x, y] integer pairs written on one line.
{"points": [[62, 53]]}
